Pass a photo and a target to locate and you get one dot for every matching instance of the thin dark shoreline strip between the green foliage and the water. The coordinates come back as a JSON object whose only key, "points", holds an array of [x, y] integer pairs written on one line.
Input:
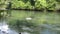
{"points": [[40, 10]]}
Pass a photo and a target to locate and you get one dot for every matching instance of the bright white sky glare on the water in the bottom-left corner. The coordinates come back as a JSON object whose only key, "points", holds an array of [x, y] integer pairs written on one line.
{"points": [[4, 26]]}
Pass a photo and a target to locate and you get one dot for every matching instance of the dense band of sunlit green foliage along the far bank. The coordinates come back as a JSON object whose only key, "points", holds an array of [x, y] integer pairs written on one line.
{"points": [[33, 4]]}
